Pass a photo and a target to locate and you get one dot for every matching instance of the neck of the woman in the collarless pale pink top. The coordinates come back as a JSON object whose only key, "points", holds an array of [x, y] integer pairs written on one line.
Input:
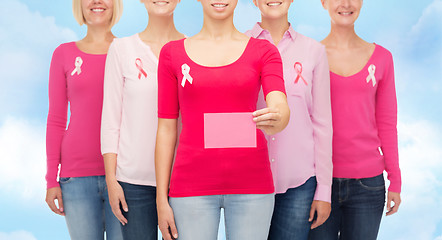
{"points": [[159, 29]]}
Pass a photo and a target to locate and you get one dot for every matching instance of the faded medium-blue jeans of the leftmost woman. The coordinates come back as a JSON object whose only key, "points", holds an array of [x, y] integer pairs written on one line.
{"points": [[87, 209]]}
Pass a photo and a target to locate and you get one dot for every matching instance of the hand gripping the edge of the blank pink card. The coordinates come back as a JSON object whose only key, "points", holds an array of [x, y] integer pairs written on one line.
{"points": [[267, 119]]}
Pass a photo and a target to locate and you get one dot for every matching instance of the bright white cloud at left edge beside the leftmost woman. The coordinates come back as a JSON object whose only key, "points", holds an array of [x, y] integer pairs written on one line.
{"points": [[22, 147]]}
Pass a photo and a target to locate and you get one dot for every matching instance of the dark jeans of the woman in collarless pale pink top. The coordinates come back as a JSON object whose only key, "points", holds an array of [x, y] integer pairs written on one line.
{"points": [[142, 219]]}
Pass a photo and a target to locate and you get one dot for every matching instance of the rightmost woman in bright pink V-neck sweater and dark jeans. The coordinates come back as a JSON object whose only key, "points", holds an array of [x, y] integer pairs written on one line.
{"points": [[364, 112]]}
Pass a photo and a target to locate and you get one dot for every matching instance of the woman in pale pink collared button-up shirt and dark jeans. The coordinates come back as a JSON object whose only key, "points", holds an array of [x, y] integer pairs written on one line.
{"points": [[300, 155]]}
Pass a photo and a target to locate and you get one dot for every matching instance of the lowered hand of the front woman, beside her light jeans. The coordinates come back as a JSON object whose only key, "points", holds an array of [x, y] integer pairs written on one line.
{"points": [[166, 221]]}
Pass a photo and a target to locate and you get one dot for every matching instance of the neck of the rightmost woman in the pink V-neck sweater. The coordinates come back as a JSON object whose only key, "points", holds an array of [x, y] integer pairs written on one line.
{"points": [[343, 36]]}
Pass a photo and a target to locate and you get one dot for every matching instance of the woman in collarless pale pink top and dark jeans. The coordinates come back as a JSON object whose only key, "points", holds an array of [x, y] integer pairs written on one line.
{"points": [[129, 121]]}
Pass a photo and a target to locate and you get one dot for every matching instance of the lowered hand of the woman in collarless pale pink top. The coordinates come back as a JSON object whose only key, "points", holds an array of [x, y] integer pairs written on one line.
{"points": [[116, 196]]}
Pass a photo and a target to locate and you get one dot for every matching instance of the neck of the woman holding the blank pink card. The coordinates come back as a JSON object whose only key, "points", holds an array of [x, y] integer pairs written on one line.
{"points": [[218, 29]]}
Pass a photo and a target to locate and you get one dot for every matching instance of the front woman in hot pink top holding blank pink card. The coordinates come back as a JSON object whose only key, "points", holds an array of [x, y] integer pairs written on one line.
{"points": [[213, 79]]}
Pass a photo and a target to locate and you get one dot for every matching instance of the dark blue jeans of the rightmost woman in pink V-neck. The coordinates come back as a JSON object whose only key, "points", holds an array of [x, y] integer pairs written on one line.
{"points": [[357, 207]]}
